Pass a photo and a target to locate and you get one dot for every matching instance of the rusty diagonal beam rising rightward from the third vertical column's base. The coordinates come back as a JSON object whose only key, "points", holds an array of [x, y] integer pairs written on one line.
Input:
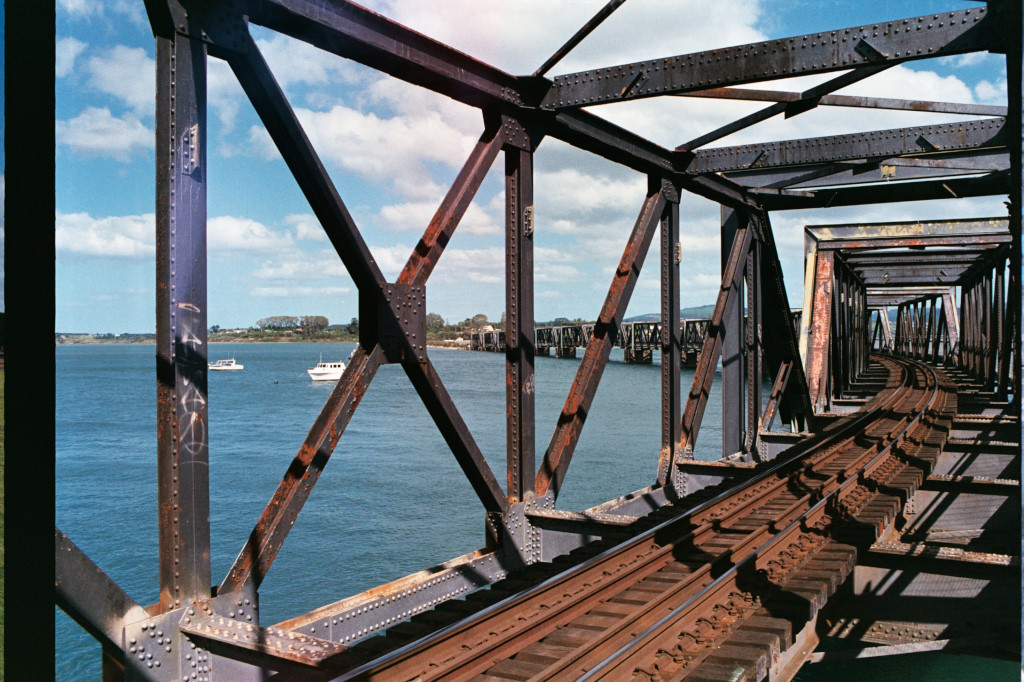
{"points": [[697, 401]]}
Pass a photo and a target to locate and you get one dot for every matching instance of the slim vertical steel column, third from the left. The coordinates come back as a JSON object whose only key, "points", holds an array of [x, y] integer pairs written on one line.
{"points": [[672, 255]]}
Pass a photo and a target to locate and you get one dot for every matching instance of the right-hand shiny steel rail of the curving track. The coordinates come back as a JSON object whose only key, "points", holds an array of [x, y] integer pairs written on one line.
{"points": [[612, 667]]}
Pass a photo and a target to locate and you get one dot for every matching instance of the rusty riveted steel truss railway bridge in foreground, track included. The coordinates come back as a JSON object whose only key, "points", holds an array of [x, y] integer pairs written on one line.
{"points": [[717, 571]]}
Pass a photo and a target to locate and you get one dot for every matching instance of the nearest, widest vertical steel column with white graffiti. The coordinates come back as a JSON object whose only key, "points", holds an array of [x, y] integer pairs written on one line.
{"points": [[184, 490]]}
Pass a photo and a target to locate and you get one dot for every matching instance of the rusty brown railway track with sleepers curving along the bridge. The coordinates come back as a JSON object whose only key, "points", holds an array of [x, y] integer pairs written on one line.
{"points": [[716, 592]]}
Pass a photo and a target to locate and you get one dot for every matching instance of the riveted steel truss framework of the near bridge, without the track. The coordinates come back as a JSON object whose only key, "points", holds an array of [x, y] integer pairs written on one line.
{"points": [[751, 331]]}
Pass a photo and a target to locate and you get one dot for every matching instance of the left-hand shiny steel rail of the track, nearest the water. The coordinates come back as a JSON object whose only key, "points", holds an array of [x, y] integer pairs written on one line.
{"points": [[830, 441]]}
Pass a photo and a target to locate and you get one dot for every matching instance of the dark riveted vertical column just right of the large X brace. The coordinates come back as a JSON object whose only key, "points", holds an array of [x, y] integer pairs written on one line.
{"points": [[520, 333]]}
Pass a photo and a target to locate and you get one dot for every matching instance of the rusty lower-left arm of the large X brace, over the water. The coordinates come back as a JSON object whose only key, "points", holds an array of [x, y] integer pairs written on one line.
{"points": [[268, 537]]}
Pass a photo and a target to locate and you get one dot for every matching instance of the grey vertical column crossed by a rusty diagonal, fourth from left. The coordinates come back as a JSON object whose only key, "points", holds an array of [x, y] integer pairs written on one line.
{"points": [[733, 345]]}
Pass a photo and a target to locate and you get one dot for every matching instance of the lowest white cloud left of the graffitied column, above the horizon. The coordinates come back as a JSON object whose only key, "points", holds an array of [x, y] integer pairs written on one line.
{"points": [[117, 237]]}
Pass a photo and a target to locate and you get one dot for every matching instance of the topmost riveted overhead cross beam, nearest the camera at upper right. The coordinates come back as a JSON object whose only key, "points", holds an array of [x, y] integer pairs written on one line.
{"points": [[889, 42]]}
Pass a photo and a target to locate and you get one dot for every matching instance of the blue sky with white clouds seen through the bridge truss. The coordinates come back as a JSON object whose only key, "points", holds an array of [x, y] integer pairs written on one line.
{"points": [[393, 150]]}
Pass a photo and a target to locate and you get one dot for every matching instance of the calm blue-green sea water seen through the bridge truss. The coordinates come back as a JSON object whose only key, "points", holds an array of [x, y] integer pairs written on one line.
{"points": [[392, 501]]}
